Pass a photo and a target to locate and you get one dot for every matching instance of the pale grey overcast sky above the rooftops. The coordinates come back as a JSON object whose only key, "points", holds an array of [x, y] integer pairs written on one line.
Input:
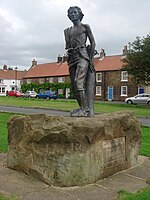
{"points": [[33, 29]]}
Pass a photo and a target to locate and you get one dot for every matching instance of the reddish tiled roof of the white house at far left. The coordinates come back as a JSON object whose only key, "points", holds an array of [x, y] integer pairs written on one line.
{"points": [[11, 74]]}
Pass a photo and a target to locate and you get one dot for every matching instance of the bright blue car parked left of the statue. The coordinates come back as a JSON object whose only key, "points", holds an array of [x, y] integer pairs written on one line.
{"points": [[48, 94]]}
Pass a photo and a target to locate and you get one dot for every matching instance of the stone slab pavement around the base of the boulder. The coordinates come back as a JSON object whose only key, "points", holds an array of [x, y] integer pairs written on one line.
{"points": [[28, 188]]}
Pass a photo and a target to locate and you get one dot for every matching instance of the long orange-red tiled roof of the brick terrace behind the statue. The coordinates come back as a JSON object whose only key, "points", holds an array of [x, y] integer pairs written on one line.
{"points": [[108, 63]]}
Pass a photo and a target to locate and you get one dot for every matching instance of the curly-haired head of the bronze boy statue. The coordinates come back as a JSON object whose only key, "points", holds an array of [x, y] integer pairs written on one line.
{"points": [[77, 11]]}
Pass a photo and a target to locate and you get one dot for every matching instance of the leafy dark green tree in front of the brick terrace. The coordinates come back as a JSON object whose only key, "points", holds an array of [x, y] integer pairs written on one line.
{"points": [[137, 60]]}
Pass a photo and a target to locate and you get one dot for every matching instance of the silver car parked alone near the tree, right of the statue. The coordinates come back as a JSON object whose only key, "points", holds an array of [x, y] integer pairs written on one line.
{"points": [[139, 99]]}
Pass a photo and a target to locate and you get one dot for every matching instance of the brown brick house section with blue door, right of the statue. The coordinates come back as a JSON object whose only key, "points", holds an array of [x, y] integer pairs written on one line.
{"points": [[112, 83]]}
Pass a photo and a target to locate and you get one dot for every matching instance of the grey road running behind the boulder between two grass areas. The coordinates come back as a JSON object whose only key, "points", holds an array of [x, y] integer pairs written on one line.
{"points": [[24, 110]]}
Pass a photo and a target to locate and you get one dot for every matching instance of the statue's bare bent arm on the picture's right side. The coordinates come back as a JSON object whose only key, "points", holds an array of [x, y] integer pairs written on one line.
{"points": [[92, 41]]}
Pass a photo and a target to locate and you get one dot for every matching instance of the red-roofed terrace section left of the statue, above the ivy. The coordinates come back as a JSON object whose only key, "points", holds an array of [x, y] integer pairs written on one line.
{"points": [[56, 72]]}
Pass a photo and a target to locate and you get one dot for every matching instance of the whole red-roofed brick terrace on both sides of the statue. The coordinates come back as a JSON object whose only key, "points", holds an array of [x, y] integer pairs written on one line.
{"points": [[112, 83]]}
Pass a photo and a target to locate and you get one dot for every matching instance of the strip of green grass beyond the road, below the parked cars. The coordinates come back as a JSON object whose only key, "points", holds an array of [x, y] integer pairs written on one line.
{"points": [[100, 107]]}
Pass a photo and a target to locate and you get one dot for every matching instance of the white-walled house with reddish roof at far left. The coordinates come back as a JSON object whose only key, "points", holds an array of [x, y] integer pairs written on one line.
{"points": [[10, 79]]}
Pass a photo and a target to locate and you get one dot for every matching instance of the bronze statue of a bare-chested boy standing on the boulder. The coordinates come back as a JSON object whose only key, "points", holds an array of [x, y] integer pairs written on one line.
{"points": [[80, 61]]}
